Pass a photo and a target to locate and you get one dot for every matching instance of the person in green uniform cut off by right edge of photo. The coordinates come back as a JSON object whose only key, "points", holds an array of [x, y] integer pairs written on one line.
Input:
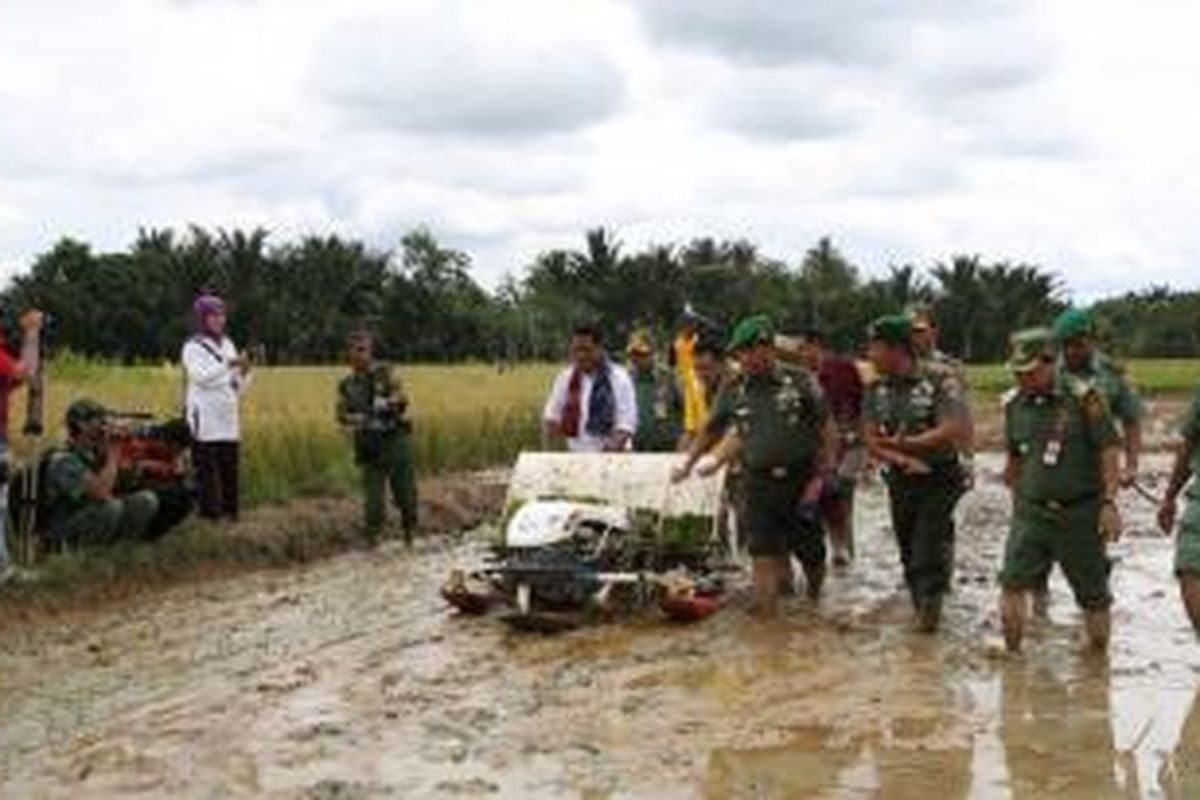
{"points": [[1187, 543]]}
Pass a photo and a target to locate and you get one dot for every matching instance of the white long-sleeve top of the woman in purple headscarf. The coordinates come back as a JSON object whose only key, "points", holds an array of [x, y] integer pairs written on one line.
{"points": [[214, 388]]}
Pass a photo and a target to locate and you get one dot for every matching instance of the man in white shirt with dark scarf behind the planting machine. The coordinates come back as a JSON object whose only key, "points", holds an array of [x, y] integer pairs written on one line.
{"points": [[592, 404]]}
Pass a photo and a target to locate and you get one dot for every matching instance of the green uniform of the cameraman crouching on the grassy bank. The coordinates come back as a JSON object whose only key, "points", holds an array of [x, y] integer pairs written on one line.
{"points": [[77, 519]]}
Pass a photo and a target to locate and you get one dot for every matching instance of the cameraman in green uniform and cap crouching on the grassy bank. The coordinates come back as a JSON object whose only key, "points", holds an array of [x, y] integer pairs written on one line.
{"points": [[81, 483]]}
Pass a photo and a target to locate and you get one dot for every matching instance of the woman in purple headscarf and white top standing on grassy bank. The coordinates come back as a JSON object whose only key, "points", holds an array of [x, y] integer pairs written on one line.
{"points": [[217, 377]]}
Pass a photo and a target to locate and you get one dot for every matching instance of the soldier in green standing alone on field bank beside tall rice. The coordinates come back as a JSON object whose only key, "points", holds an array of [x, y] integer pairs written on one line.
{"points": [[373, 406]]}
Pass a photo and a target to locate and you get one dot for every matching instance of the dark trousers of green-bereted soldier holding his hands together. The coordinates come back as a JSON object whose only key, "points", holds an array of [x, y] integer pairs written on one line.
{"points": [[923, 519]]}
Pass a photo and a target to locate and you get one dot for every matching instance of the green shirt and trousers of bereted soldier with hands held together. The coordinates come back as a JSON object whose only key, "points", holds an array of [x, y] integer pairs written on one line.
{"points": [[922, 506]]}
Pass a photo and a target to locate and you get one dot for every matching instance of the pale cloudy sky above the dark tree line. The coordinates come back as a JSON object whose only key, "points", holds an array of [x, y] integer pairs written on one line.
{"points": [[1064, 133]]}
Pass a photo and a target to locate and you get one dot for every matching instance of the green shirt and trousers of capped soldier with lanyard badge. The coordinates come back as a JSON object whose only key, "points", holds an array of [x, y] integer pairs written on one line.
{"points": [[1058, 440]]}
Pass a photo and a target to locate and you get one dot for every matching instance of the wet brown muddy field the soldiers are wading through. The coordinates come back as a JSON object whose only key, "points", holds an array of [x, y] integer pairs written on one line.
{"points": [[349, 679]]}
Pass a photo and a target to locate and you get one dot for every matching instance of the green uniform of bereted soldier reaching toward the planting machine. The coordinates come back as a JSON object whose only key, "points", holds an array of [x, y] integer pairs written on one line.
{"points": [[781, 418]]}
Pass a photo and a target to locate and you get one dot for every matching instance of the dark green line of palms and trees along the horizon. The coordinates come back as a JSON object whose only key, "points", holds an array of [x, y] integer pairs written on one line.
{"points": [[298, 302]]}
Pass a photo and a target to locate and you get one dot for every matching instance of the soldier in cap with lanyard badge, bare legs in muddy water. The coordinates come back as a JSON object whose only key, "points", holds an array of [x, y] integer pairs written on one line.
{"points": [[1063, 467]]}
